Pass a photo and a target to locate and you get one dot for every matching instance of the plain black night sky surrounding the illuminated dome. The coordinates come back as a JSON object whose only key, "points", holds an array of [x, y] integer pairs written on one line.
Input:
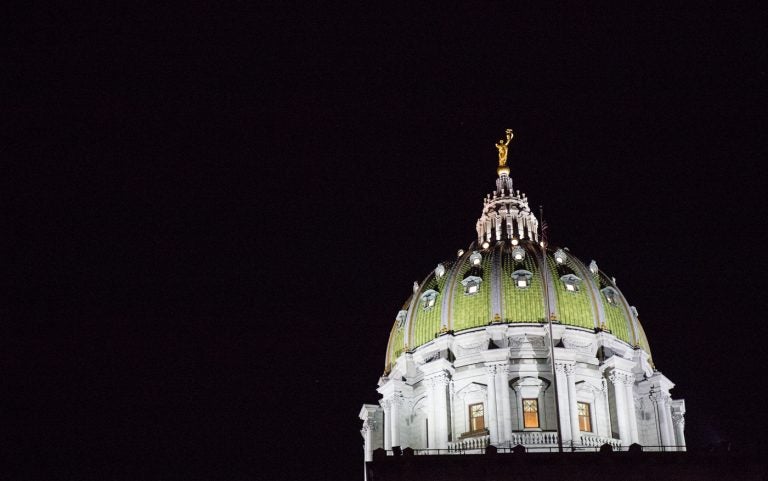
{"points": [[224, 208]]}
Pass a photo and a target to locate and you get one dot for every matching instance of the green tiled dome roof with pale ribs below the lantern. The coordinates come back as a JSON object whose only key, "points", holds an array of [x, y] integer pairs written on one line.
{"points": [[442, 303]]}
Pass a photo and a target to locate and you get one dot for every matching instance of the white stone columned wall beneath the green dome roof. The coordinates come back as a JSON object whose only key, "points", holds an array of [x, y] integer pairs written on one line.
{"points": [[429, 408]]}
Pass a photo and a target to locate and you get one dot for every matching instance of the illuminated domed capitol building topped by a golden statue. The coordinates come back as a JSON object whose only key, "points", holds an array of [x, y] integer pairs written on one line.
{"points": [[519, 342]]}
